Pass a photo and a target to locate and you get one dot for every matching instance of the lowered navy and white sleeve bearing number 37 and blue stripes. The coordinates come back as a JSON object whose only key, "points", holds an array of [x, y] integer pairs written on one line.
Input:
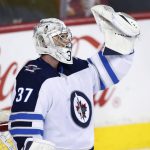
{"points": [[29, 109]]}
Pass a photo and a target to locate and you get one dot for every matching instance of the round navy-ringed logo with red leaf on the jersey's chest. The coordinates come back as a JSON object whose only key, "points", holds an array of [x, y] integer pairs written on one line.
{"points": [[81, 109]]}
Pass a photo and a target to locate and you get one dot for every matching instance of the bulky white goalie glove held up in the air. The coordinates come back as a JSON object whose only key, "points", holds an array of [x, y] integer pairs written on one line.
{"points": [[120, 30]]}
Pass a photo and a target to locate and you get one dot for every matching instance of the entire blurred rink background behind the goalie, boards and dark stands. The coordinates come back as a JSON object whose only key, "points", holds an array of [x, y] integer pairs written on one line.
{"points": [[122, 112]]}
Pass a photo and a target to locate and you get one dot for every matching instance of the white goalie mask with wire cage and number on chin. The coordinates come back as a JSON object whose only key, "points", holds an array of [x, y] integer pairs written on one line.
{"points": [[53, 37]]}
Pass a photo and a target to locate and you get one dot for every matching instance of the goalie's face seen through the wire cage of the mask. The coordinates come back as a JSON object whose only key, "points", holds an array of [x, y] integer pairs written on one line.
{"points": [[62, 40]]}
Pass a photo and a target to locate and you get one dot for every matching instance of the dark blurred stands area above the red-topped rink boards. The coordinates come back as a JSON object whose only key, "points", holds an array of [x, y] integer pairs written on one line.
{"points": [[23, 11]]}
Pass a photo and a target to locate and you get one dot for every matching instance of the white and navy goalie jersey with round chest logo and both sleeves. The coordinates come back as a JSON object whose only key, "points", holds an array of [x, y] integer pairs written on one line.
{"points": [[57, 104]]}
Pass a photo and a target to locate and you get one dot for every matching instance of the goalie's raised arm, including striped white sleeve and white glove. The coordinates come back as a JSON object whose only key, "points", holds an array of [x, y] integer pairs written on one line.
{"points": [[114, 60]]}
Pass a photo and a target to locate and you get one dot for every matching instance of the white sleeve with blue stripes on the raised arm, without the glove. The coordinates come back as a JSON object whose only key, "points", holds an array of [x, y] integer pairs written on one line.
{"points": [[108, 69]]}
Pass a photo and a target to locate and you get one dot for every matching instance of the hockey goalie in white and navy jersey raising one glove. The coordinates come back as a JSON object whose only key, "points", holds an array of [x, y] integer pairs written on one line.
{"points": [[53, 95]]}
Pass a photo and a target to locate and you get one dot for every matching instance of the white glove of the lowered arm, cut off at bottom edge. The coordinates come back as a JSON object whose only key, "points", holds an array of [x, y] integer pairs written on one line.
{"points": [[38, 144]]}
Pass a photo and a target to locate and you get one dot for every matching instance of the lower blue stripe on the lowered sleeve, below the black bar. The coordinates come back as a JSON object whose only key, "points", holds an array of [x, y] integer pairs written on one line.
{"points": [[26, 131]]}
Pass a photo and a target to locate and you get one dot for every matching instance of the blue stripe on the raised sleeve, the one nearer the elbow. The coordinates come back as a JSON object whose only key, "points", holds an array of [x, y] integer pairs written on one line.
{"points": [[108, 68]]}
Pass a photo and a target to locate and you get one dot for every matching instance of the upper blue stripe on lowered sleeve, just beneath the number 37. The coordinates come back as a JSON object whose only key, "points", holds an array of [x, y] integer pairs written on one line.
{"points": [[26, 116]]}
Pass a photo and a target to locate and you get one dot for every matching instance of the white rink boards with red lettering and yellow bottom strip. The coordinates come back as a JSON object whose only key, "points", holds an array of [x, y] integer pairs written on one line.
{"points": [[122, 113]]}
